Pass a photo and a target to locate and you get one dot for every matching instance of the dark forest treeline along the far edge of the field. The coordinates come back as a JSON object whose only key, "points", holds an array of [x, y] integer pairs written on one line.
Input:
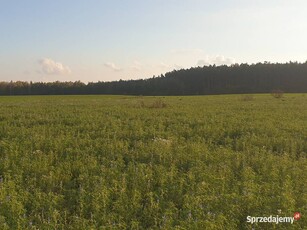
{"points": [[235, 79]]}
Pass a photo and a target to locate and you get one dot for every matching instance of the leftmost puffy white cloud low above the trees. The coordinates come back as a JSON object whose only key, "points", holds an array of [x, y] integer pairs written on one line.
{"points": [[48, 66]]}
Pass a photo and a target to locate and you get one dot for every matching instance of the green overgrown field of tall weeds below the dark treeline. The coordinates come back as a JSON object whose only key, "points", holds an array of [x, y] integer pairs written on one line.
{"points": [[116, 162]]}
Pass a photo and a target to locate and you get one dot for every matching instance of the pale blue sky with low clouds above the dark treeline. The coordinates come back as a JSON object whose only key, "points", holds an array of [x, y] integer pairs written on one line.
{"points": [[99, 40]]}
